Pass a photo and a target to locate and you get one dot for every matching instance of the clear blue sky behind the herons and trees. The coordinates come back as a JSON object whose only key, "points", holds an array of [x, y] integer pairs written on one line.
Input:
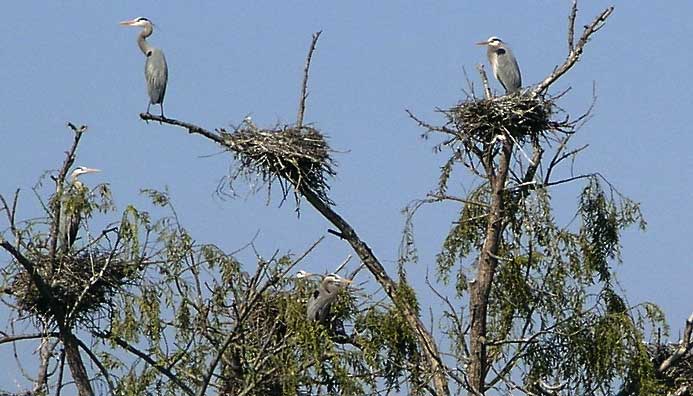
{"points": [[70, 61]]}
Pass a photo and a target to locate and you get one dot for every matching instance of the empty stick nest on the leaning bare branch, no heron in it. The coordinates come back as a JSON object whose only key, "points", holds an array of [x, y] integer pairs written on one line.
{"points": [[297, 157]]}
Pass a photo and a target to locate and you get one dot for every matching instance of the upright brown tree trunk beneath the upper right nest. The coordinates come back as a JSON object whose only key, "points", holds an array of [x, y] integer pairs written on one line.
{"points": [[481, 288]]}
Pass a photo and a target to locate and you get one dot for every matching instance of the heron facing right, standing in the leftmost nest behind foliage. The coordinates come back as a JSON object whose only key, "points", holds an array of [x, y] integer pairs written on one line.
{"points": [[73, 205]]}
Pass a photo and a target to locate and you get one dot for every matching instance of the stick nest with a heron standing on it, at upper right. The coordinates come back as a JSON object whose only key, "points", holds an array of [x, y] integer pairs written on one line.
{"points": [[523, 117]]}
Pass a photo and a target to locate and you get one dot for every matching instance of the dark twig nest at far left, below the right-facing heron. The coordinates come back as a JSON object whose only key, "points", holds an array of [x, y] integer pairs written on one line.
{"points": [[83, 285]]}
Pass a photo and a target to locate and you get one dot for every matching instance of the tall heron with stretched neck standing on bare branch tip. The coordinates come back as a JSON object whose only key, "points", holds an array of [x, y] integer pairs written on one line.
{"points": [[155, 68]]}
